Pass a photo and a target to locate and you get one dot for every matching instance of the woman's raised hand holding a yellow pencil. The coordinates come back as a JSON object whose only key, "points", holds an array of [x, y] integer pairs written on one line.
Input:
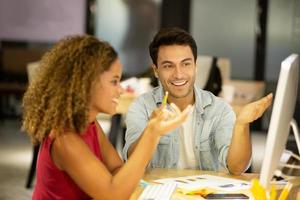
{"points": [[164, 120]]}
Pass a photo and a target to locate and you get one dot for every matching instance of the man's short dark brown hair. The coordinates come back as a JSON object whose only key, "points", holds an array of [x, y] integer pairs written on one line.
{"points": [[171, 36]]}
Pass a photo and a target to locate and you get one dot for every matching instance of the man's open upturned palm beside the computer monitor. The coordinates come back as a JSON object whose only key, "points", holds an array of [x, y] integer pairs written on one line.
{"points": [[254, 110]]}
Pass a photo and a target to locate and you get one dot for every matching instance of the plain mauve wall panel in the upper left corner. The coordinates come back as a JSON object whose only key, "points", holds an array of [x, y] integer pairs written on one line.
{"points": [[41, 20]]}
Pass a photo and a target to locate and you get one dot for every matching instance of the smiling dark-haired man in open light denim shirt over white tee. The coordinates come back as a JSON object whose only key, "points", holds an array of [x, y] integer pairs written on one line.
{"points": [[212, 138]]}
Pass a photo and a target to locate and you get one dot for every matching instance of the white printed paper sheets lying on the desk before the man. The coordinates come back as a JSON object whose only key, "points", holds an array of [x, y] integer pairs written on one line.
{"points": [[196, 182]]}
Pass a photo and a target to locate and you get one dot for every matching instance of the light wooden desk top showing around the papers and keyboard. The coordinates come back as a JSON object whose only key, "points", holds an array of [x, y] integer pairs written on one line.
{"points": [[153, 174]]}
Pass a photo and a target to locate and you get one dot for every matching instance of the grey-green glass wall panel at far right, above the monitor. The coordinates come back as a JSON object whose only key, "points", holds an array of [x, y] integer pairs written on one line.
{"points": [[283, 36]]}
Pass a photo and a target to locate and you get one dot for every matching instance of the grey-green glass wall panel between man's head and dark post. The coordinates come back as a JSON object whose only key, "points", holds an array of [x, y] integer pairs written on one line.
{"points": [[226, 29]]}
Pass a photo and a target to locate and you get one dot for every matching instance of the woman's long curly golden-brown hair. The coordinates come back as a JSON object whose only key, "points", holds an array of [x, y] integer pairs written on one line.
{"points": [[58, 98]]}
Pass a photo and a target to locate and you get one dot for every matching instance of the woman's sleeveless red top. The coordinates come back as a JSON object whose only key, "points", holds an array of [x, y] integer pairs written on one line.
{"points": [[52, 183]]}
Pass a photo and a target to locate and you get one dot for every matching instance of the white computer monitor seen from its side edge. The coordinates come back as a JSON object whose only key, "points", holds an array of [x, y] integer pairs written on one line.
{"points": [[282, 114]]}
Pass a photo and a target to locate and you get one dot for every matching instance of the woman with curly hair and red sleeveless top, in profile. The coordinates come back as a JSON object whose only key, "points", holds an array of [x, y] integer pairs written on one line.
{"points": [[78, 78]]}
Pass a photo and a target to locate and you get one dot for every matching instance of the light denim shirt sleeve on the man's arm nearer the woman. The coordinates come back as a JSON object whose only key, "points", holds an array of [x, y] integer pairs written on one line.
{"points": [[136, 121]]}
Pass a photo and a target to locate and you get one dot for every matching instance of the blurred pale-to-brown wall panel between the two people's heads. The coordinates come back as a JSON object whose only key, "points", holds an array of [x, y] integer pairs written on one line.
{"points": [[129, 25]]}
